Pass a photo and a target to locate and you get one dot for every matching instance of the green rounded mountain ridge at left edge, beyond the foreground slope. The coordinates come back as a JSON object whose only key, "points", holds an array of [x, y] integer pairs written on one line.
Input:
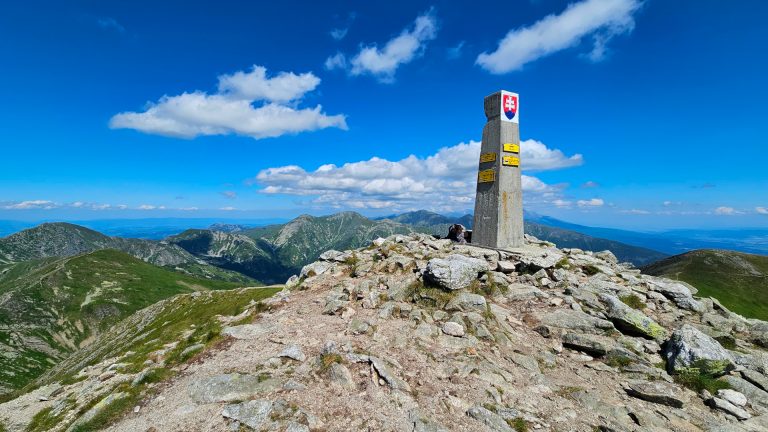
{"points": [[51, 307]]}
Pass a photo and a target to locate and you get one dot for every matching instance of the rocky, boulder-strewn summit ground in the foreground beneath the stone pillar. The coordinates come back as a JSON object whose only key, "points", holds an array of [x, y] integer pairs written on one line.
{"points": [[417, 334]]}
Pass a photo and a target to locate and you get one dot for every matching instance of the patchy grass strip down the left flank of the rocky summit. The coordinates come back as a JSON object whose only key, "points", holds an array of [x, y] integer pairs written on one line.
{"points": [[184, 320]]}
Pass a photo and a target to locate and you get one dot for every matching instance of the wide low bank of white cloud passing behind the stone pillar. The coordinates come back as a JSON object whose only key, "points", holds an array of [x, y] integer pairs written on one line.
{"points": [[446, 180]]}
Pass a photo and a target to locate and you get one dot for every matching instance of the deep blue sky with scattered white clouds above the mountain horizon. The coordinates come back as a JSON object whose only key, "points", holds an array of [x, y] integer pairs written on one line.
{"points": [[643, 115]]}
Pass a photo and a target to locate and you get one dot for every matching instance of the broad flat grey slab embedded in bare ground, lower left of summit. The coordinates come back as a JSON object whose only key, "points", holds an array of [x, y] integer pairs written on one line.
{"points": [[229, 387]]}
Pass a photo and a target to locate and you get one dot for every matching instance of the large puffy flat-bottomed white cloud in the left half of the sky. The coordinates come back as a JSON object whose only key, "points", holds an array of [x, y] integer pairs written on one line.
{"points": [[231, 109]]}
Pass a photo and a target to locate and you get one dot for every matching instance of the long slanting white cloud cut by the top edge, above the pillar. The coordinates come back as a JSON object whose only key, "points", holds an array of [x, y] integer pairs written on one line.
{"points": [[603, 19]]}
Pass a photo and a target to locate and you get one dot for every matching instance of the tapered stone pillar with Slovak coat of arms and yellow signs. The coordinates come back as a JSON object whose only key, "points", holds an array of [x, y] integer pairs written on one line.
{"points": [[499, 200]]}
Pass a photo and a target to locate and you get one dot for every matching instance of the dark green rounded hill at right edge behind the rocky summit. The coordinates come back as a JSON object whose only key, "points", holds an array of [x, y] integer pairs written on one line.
{"points": [[738, 280]]}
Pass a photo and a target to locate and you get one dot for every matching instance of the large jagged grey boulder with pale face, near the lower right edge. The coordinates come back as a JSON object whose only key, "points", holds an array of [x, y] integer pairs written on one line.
{"points": [[689, 347]]}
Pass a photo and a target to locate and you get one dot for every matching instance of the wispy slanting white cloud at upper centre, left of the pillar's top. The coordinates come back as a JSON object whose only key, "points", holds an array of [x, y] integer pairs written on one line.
{"points": [[383, 62]]}
